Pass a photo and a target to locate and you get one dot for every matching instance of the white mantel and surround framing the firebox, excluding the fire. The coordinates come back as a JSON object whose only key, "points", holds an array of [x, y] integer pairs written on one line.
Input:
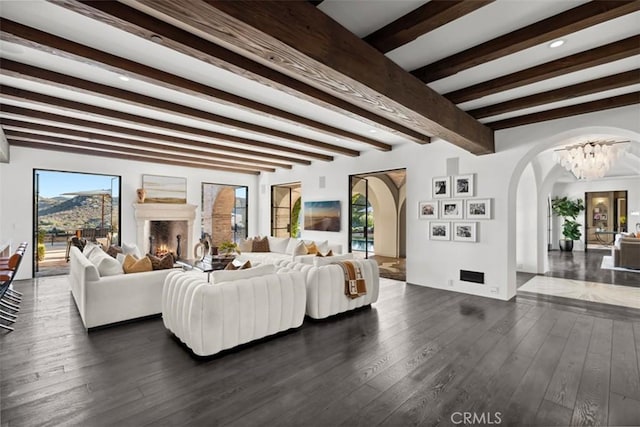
{"points": [[144, 213]]}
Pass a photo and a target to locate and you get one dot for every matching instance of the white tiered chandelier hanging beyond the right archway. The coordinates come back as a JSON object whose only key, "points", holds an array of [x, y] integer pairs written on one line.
{"points": [[590, 160]]}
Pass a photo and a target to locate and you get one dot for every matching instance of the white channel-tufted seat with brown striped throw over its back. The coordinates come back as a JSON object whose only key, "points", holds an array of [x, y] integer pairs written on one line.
{"points": [[325, 286]]}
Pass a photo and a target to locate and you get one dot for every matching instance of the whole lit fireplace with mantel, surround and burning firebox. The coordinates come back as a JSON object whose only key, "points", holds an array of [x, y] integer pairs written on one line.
{"points": [[159, 225]]}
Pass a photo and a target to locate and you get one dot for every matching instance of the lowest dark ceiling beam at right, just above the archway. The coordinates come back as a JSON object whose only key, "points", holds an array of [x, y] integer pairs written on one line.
{"points": [[572, 110]]}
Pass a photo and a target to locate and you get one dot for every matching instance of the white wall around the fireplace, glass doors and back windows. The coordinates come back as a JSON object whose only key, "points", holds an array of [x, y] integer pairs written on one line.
{"points": [[16, 190]]}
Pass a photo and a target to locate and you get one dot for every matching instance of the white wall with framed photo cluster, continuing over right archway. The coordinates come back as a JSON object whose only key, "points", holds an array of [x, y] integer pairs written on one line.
{"points": [[437, 263]]}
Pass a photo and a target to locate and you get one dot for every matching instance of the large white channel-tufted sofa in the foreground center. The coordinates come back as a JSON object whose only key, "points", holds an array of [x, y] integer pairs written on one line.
{"points": [[211, 317]]}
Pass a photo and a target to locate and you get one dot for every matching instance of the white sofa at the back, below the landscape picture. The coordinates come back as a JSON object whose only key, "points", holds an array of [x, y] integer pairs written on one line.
{"points": [[282, 249]]}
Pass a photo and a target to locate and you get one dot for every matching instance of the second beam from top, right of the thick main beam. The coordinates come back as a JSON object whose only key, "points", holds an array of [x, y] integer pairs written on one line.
{"points": [[568, 22]]}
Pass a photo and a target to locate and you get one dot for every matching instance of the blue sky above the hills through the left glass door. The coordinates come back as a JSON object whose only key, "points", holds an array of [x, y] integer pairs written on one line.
{"points": [[53, 184]]}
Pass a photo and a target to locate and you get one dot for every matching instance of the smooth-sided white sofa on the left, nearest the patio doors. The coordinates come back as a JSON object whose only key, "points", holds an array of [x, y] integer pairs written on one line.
{"points": [[114, 298]]}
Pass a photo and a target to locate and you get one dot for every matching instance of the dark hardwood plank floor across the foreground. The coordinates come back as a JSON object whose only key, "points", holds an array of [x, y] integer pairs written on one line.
{"points": [[420, 356]]}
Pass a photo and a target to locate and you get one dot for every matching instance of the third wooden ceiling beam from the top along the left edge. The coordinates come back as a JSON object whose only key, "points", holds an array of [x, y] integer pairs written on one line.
{"points": [[99, 113]]}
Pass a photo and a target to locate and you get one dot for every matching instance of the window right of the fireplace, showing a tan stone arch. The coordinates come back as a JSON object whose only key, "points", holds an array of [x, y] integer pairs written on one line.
{"points": [[224, 212]]}
